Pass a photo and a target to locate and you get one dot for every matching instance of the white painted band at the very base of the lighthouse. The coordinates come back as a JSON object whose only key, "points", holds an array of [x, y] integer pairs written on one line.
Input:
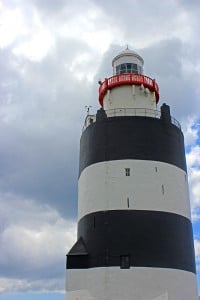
{"points": [[128, 284]]}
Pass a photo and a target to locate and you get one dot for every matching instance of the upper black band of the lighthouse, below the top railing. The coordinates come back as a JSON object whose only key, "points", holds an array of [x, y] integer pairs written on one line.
{"points": [[141, 138]]}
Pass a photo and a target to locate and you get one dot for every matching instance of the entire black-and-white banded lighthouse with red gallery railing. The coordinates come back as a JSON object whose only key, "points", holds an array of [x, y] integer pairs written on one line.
{"points": [[135, 239]]}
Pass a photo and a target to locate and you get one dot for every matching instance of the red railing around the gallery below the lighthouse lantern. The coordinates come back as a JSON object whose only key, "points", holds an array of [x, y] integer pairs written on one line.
{"points": [[125, 79]]}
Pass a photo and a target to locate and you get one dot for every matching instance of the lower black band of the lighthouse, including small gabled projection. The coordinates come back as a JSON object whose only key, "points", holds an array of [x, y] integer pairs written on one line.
{"points": [[150, 238]]}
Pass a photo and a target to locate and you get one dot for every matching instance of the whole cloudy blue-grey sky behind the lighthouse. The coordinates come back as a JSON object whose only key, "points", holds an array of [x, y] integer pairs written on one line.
{"points": [[52, 54]]}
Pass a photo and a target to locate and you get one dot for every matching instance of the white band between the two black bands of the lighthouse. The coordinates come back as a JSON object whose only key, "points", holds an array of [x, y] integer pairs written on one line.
{"points": [[123, 184]]}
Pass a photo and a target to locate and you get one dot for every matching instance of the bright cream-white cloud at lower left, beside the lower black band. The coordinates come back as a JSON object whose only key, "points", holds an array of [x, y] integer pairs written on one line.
{"points": [[36, 248]]}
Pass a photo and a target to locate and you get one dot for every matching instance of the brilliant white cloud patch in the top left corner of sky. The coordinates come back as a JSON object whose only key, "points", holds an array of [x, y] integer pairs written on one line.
{"points": [[23, 29]]}
